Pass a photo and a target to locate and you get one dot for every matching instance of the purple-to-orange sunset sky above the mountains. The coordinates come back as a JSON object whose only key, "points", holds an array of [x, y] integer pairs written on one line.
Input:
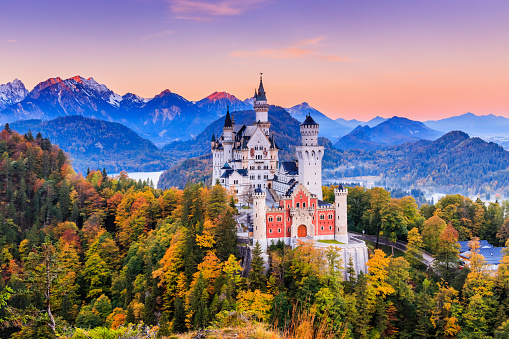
{"points": [[354, 59]]}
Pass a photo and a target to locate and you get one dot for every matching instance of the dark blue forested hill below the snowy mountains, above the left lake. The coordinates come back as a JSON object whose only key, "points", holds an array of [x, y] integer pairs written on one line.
{"points": [[94, 143]]}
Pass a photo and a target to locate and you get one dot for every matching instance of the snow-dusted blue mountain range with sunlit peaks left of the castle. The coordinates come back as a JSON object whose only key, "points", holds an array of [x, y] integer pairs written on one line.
{"points": [[164, 118]]}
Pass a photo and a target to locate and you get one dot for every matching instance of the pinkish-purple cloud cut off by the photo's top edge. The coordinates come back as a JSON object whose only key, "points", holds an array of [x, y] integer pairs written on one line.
{"points": [[207, 9]]}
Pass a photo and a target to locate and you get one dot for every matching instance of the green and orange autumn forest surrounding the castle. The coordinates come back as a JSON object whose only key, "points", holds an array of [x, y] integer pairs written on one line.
{"points": [[98, 257]]}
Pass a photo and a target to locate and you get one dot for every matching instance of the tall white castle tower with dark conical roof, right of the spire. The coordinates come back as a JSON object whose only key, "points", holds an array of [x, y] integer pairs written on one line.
{"points": [[310, 155]]}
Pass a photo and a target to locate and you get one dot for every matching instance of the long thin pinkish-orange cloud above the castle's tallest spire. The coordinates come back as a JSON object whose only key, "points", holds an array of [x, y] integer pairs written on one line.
{"points": [[302, 49]]}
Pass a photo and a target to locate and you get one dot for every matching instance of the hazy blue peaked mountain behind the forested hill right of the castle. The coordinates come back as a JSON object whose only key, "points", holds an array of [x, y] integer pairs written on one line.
{"points": [[394, 131]]}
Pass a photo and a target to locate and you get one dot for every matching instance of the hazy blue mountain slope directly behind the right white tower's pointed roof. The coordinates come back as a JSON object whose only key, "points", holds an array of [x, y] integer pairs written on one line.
{"points": [[329, 128]]}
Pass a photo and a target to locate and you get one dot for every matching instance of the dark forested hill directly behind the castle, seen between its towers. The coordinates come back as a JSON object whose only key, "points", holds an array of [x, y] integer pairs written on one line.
{"points": [[283, 125]]}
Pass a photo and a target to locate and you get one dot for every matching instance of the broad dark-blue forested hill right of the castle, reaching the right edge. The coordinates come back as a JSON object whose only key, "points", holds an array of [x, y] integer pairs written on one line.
{"points": [[454, 163]]}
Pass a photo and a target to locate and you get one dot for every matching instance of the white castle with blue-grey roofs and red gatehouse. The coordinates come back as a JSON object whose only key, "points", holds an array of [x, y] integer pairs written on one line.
{"points": [[286, 196]]}
